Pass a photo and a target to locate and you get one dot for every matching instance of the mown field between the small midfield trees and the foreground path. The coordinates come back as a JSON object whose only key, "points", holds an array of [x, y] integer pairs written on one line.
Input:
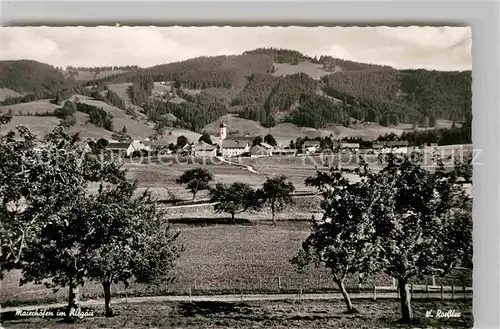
{"points": [[225, 258]]}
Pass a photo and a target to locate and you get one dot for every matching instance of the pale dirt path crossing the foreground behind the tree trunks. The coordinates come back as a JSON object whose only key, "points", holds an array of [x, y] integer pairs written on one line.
{"points": [[240, 298]]}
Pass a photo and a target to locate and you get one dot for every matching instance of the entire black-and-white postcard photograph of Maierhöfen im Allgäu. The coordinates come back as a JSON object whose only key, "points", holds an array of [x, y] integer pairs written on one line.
{"points": [[236, 177]]}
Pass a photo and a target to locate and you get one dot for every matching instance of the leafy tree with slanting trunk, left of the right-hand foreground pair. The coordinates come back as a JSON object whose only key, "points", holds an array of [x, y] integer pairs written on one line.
{"points": [[343, 240]]}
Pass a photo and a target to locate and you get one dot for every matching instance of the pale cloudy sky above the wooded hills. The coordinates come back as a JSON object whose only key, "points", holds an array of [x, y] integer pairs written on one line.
{"points": [[433, 48]]}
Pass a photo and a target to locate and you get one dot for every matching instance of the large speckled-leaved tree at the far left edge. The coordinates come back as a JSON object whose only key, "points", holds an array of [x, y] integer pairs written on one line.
{"points": [[51, 185]]}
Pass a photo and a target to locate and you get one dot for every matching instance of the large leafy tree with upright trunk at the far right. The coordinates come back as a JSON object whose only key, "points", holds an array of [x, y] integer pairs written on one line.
{"points": [[418, 216]]}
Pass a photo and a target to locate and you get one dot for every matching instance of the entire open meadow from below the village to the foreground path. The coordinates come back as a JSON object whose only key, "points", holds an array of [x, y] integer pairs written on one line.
{"points": [[220, 257]]}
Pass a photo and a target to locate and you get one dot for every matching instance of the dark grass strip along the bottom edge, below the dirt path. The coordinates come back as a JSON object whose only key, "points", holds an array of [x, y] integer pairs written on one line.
{"points": [[307, 314]]}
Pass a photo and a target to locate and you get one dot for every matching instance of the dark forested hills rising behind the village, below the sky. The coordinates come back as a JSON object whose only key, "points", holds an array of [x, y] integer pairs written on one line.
{"points": [[200, 90]]}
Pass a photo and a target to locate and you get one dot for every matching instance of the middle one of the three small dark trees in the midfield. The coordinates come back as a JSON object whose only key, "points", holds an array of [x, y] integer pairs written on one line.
{"points": [[234, 199]]}
